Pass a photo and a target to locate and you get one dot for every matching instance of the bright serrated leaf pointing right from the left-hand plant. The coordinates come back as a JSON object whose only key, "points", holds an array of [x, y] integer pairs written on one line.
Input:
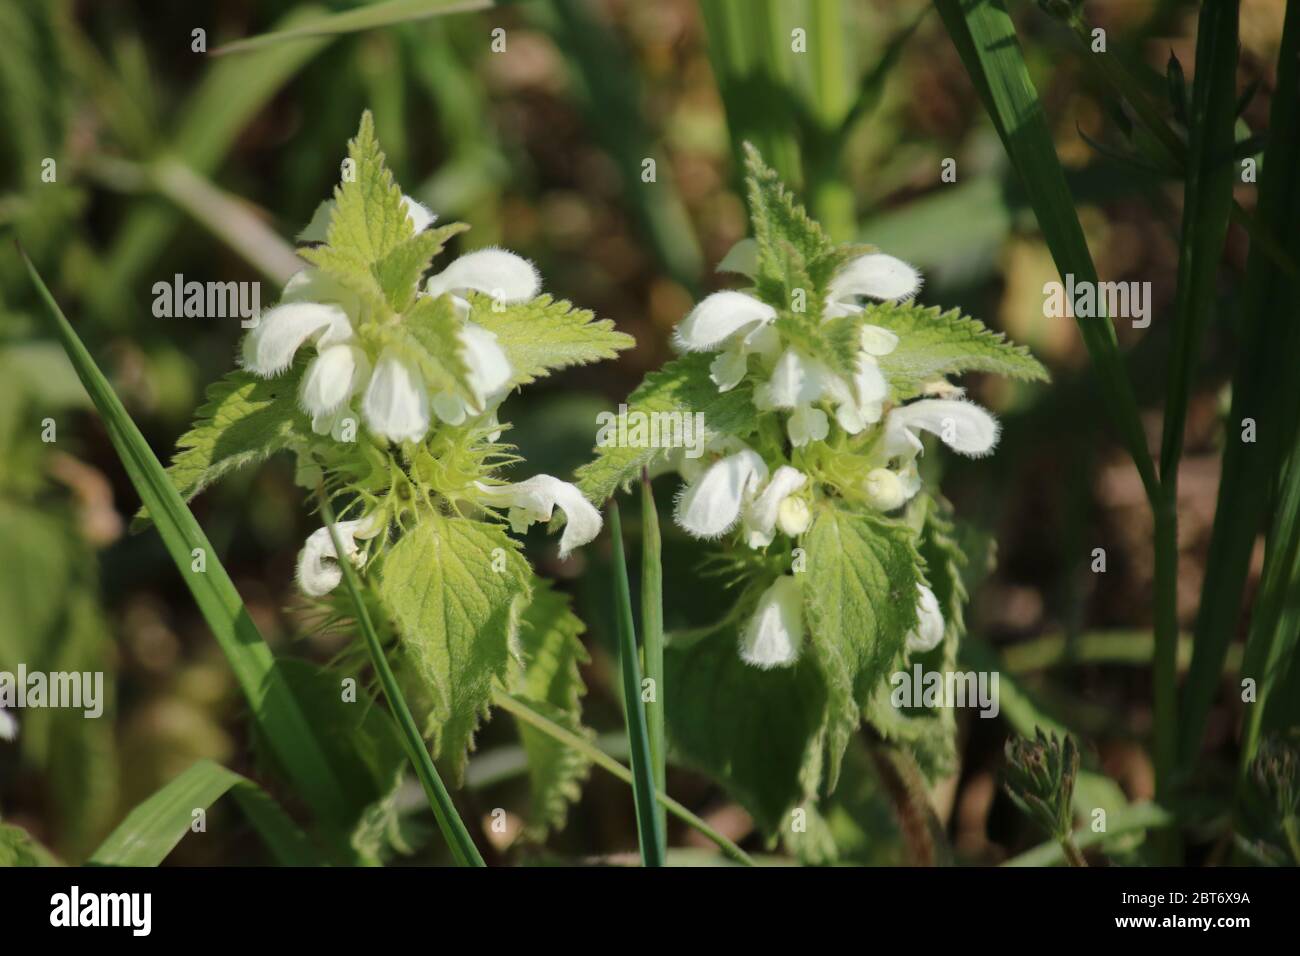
{"points": [[547, 335]]}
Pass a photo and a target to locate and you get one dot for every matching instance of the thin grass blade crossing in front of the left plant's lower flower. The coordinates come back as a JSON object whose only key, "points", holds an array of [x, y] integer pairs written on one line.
{"points": [[440, 801]]}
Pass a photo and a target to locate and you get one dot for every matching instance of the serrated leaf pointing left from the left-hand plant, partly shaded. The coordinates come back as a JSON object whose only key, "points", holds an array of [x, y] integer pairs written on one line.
{"points": [[245, 421]]}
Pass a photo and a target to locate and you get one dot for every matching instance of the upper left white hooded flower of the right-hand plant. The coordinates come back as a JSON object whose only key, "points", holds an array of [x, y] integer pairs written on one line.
{"points": [[733, 323]]}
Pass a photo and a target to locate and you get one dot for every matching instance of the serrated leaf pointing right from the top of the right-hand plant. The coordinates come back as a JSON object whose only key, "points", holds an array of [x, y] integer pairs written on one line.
{"points": [[934, 345]]}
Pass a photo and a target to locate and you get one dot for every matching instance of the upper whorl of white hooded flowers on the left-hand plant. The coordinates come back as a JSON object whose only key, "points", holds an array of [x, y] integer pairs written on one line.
{"points": [[396, 401]]}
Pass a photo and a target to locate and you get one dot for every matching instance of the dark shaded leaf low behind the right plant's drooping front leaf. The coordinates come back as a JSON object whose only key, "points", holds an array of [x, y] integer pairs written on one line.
{"points": [[757, 733]]}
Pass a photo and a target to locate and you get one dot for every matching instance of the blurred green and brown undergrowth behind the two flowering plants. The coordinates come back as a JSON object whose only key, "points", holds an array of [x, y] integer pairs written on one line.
{"points": [[171, 161]]}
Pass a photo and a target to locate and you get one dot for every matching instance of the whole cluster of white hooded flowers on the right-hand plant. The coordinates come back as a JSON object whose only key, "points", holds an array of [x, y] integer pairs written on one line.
{"points": [[774, 488]]}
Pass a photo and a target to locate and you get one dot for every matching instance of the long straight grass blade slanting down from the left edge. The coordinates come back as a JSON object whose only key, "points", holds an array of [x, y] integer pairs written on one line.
{"points": [[274, 707]]}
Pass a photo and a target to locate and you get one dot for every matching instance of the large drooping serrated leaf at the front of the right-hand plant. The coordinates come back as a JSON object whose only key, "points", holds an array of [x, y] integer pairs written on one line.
{"points": [[860, 592]]}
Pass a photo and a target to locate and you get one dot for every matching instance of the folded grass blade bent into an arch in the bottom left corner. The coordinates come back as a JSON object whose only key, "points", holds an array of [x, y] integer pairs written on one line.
{"points": [[155, 827]]}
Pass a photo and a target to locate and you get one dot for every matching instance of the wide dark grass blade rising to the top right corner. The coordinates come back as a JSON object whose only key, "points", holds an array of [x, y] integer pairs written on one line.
{"points": [[1260, 388]]}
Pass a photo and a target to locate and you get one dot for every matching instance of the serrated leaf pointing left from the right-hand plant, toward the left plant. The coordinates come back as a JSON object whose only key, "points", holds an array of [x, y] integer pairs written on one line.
{"points": [[683, 386]]}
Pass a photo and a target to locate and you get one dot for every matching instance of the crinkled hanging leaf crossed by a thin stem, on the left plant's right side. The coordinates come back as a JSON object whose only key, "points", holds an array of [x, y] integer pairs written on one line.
{"points": [[548, 681]]}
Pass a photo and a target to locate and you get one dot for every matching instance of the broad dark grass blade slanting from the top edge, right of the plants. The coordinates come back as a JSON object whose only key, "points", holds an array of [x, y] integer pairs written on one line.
{"points": [[985, 37]]}
